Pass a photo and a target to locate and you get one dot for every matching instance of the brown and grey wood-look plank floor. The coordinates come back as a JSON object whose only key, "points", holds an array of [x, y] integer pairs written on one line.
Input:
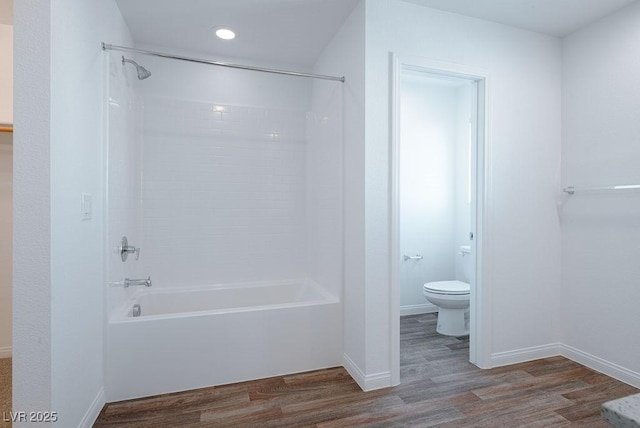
{"points": [[439, 388]]}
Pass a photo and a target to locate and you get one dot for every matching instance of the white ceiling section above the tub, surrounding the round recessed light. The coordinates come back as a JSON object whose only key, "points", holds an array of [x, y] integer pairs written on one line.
{"points": [[273, 31]]}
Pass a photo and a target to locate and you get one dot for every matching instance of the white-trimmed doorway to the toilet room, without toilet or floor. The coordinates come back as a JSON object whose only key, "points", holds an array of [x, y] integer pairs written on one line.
{"points": [[438, 185]]}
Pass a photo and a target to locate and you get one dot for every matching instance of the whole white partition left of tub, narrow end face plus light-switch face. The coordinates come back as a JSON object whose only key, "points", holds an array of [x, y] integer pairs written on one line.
{"points": [[59, 282]]}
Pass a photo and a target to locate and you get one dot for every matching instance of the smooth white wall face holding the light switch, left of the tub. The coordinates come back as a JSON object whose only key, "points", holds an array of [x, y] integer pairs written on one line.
{"points": [[78, 281]]}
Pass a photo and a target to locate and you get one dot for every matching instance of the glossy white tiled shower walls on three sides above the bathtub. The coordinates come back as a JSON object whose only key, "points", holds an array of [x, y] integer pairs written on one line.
{"points": [[224, 176]]}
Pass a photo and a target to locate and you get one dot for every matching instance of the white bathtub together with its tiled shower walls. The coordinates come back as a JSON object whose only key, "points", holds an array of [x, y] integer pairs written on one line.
{"points": [[225, 179]]}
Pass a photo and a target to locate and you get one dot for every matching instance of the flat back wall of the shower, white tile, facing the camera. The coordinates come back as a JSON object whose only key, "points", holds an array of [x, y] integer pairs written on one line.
{"points": [[223, 192]]}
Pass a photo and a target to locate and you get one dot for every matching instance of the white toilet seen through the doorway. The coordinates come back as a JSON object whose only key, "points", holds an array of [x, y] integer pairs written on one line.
{"points": [[452, 300]]}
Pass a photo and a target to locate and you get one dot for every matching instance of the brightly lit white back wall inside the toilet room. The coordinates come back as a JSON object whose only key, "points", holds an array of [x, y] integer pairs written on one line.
{"points": [[427, 180]]}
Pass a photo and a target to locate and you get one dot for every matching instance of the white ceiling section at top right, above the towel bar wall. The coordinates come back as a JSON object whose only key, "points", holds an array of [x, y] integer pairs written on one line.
{"points": [[554, 17]]}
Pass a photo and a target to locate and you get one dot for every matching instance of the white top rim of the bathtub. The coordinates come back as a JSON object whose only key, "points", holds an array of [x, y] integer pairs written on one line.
{"points": [[121, 313]]}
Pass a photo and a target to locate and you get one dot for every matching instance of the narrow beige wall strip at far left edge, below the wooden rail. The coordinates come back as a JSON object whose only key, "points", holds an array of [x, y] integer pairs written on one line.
{"points": [[6, 244]]}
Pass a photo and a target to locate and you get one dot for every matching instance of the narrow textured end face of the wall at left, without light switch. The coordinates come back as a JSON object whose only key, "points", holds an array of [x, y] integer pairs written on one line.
{"points": [[32, 367]]}
